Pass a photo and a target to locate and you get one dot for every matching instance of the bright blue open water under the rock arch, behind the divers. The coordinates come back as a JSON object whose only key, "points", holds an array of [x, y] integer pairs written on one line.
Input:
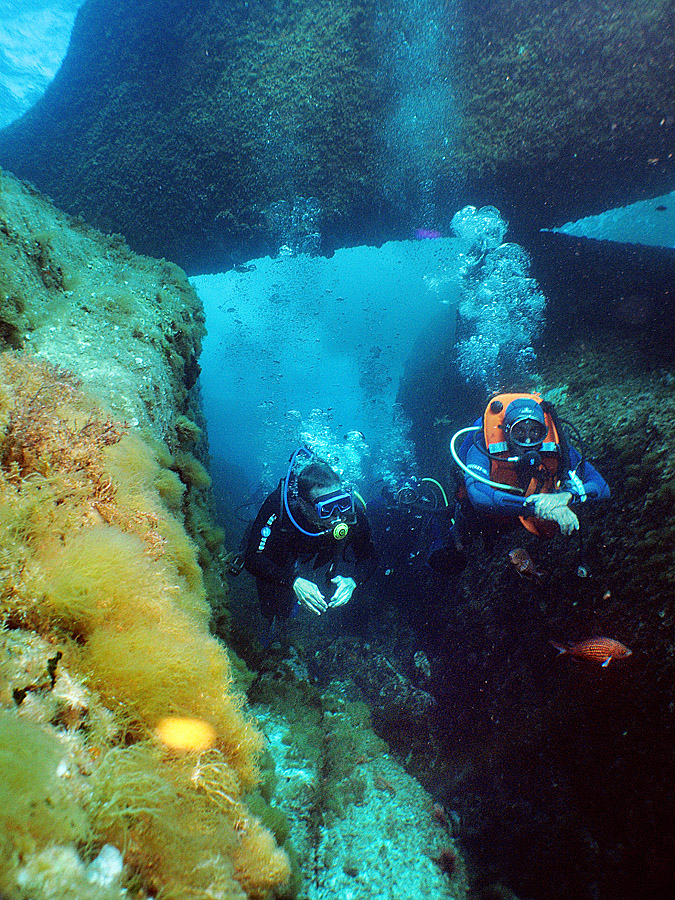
{"points": [[305, 349]]}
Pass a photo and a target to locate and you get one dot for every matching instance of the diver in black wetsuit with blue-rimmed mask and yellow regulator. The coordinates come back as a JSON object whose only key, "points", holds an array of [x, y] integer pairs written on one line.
{"points": [[310, 521]]}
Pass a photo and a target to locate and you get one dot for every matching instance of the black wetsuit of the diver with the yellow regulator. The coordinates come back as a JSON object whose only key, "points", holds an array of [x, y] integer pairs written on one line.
{"points": [[275, 548]]}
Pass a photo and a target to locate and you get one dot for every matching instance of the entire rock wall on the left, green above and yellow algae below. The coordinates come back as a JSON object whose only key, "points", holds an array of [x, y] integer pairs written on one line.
{"points": [[121, 719]]}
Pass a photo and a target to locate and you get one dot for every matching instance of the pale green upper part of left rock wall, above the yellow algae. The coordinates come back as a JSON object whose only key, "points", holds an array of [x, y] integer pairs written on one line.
{"points": [[128, 326]]}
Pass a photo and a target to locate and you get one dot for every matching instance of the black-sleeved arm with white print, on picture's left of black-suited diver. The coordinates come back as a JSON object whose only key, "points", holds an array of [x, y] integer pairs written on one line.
{"points": [[268, 555]]}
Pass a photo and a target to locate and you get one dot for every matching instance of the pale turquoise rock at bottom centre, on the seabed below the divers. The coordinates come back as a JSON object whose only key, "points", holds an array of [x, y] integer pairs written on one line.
{"points": [[362, 826]]}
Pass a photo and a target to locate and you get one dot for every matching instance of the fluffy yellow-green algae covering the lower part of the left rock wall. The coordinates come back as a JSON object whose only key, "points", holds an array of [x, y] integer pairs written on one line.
{"points": [[104, 635]]}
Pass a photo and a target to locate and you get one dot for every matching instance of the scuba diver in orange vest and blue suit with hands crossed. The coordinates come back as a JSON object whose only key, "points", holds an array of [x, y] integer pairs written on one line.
{"points": [[518, 465]]}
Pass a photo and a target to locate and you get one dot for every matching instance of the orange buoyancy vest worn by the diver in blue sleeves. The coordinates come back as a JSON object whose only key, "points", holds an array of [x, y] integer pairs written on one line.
{"points": [[544, 479]]}
